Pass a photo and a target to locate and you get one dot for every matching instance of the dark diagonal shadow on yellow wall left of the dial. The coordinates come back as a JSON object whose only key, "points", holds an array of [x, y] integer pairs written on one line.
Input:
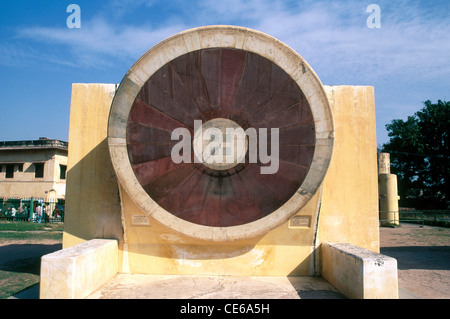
{"points": [[92, 199]]}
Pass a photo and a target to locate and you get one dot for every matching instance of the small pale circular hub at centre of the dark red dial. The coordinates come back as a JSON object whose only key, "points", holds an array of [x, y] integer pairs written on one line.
{"points": [[219, 144]]}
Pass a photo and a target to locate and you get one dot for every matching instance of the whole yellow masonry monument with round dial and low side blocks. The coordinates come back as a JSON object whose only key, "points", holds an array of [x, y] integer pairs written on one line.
{"points": [[328, 225]]}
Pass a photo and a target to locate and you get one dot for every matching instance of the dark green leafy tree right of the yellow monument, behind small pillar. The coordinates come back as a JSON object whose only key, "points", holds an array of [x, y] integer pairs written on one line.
{"points": [[420, 156]]}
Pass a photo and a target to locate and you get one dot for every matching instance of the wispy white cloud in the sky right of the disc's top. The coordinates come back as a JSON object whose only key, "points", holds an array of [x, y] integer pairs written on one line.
{"points": [[336, 38]]}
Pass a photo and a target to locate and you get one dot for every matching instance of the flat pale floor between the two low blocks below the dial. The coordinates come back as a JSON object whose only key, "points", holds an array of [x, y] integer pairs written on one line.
{"points": [[126, 286]]}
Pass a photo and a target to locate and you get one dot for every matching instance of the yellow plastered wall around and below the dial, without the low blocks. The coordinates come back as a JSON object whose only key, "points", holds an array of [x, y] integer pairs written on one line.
{"points": [[345, 208]]}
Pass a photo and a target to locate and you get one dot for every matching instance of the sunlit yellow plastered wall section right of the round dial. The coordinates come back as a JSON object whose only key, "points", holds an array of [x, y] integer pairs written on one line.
{"points": [[349, 209]]}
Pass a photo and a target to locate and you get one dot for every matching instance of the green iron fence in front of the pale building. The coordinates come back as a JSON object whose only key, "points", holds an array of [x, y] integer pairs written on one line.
{"points": [[32, 210]]}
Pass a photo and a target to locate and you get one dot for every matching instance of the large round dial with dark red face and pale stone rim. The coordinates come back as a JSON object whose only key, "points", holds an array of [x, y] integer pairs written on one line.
{"points": [[227, 77]]}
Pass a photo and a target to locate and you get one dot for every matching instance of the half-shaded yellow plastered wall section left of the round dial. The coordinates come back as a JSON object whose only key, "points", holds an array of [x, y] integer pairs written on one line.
{"points": [[92, 201]]}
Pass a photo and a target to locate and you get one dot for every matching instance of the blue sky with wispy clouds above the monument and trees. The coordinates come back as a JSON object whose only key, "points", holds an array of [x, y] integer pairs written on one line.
{"points": [[407, 60]]}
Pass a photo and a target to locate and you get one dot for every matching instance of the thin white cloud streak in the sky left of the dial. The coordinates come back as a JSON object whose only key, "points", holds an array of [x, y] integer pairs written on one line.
{"points": [[99, 43]]}
